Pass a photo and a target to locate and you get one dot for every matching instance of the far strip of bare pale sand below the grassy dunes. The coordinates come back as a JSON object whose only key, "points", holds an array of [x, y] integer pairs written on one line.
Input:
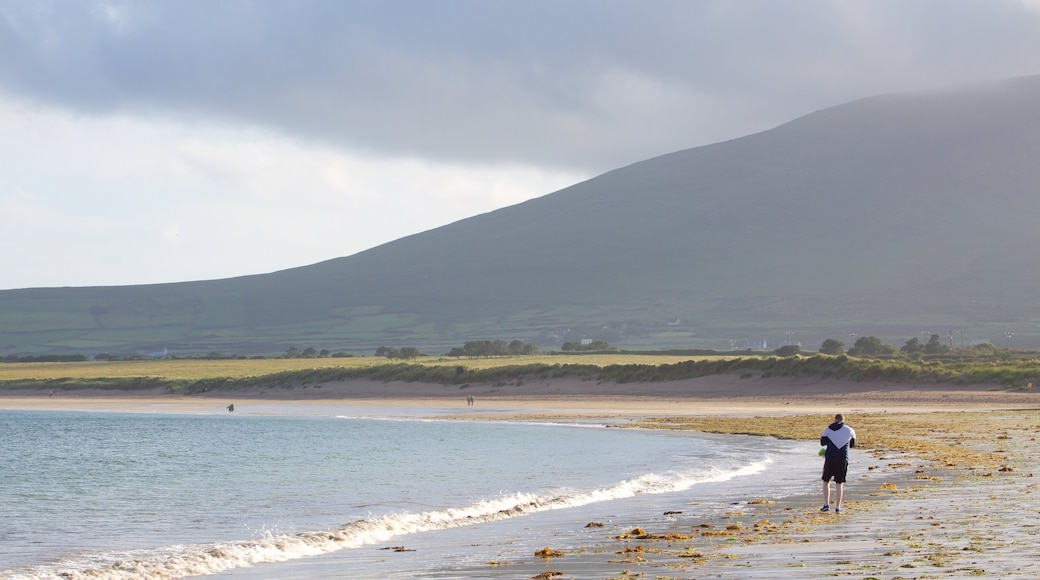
{"points": [[710, 396]]}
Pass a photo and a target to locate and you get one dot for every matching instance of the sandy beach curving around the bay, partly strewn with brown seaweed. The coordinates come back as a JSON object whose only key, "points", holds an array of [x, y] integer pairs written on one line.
{"points": [[948, 491]]}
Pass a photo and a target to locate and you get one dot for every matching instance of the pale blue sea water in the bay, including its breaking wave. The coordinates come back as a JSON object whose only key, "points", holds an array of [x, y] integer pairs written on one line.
{"points": [[120, 495]]}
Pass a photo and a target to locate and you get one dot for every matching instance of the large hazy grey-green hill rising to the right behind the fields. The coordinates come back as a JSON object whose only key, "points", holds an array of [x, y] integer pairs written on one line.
{"points": [[892, 217]]}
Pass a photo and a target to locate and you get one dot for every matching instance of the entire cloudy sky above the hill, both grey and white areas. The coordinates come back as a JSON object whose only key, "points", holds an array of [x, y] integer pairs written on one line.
{"points": [[155, 142]]}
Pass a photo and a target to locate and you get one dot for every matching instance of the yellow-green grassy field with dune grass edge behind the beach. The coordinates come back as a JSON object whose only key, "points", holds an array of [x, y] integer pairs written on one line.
{"points": [[191, 375]]}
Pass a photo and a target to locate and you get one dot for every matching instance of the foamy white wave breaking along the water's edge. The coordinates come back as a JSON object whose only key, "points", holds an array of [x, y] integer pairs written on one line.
{"points": [[180, 562]]}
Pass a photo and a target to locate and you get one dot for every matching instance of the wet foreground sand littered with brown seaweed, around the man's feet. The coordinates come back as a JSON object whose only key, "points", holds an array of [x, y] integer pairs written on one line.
{"points": [[959, 502]]}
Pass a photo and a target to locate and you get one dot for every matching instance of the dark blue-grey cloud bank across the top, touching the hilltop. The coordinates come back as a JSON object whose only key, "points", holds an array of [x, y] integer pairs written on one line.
{"points": [[578, 85]]}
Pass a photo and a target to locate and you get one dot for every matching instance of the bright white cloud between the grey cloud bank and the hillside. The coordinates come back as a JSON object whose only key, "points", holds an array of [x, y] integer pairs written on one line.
{"points": [[139, 201]]}
